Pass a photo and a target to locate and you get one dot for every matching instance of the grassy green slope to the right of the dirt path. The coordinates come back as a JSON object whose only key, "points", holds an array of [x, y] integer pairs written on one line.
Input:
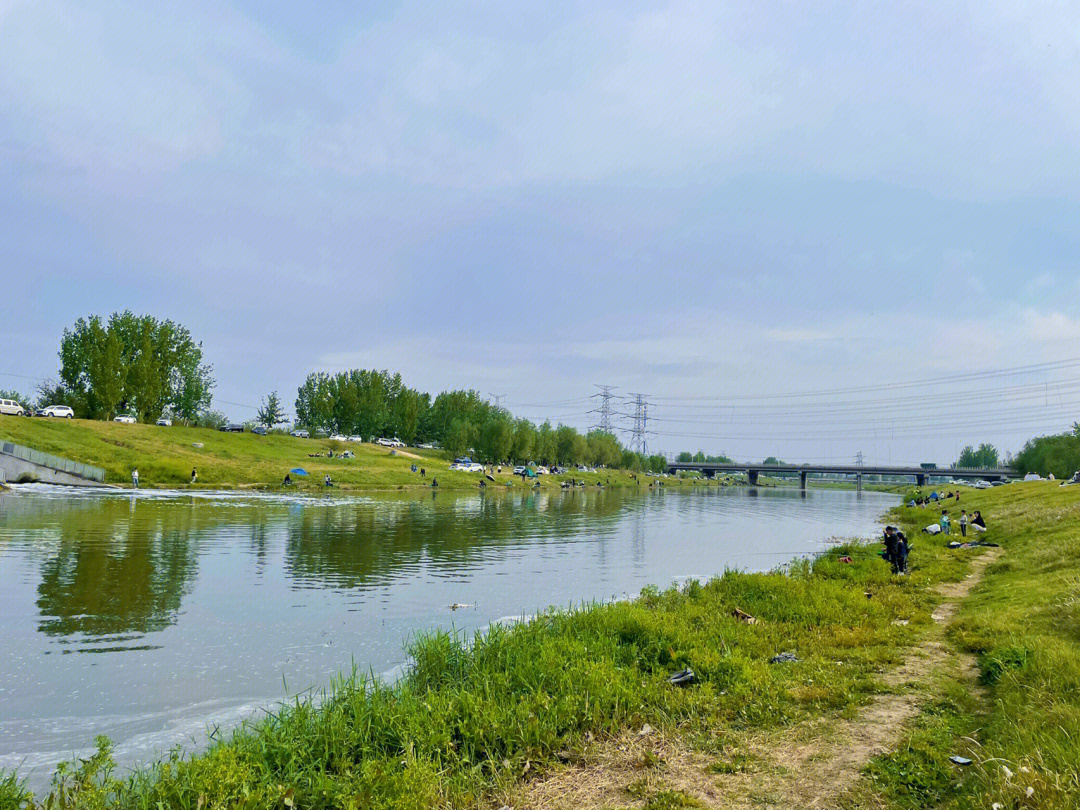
{"points": [[1023, 626]]}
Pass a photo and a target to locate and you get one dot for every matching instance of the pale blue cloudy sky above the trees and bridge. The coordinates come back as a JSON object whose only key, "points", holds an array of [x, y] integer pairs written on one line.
{"points": [[704, 202]]}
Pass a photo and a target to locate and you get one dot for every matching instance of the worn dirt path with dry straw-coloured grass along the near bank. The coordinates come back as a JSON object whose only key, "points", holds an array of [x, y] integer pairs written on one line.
{"points": [[805, 766]]}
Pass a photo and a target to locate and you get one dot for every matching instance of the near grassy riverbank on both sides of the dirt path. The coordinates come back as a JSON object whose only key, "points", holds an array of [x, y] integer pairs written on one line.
{"points": [[470, 726]]}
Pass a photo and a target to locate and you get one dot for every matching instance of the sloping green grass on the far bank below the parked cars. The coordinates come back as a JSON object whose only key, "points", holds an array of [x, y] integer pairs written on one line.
{"points": [[166, 456]]}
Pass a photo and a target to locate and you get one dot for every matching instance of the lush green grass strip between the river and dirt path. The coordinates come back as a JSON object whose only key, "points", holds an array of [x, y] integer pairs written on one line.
{"points": [[474, 715]]}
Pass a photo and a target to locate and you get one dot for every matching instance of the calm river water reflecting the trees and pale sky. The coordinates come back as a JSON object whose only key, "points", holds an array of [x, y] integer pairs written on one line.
{"points": [[150, 616]]}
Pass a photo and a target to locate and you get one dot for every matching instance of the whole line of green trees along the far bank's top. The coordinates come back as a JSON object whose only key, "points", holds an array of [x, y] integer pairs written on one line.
{"points": [[150, 368]]}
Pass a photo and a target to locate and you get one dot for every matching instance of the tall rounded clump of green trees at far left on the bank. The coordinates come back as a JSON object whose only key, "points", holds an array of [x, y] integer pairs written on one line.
{"points": [[133, 363]]}
